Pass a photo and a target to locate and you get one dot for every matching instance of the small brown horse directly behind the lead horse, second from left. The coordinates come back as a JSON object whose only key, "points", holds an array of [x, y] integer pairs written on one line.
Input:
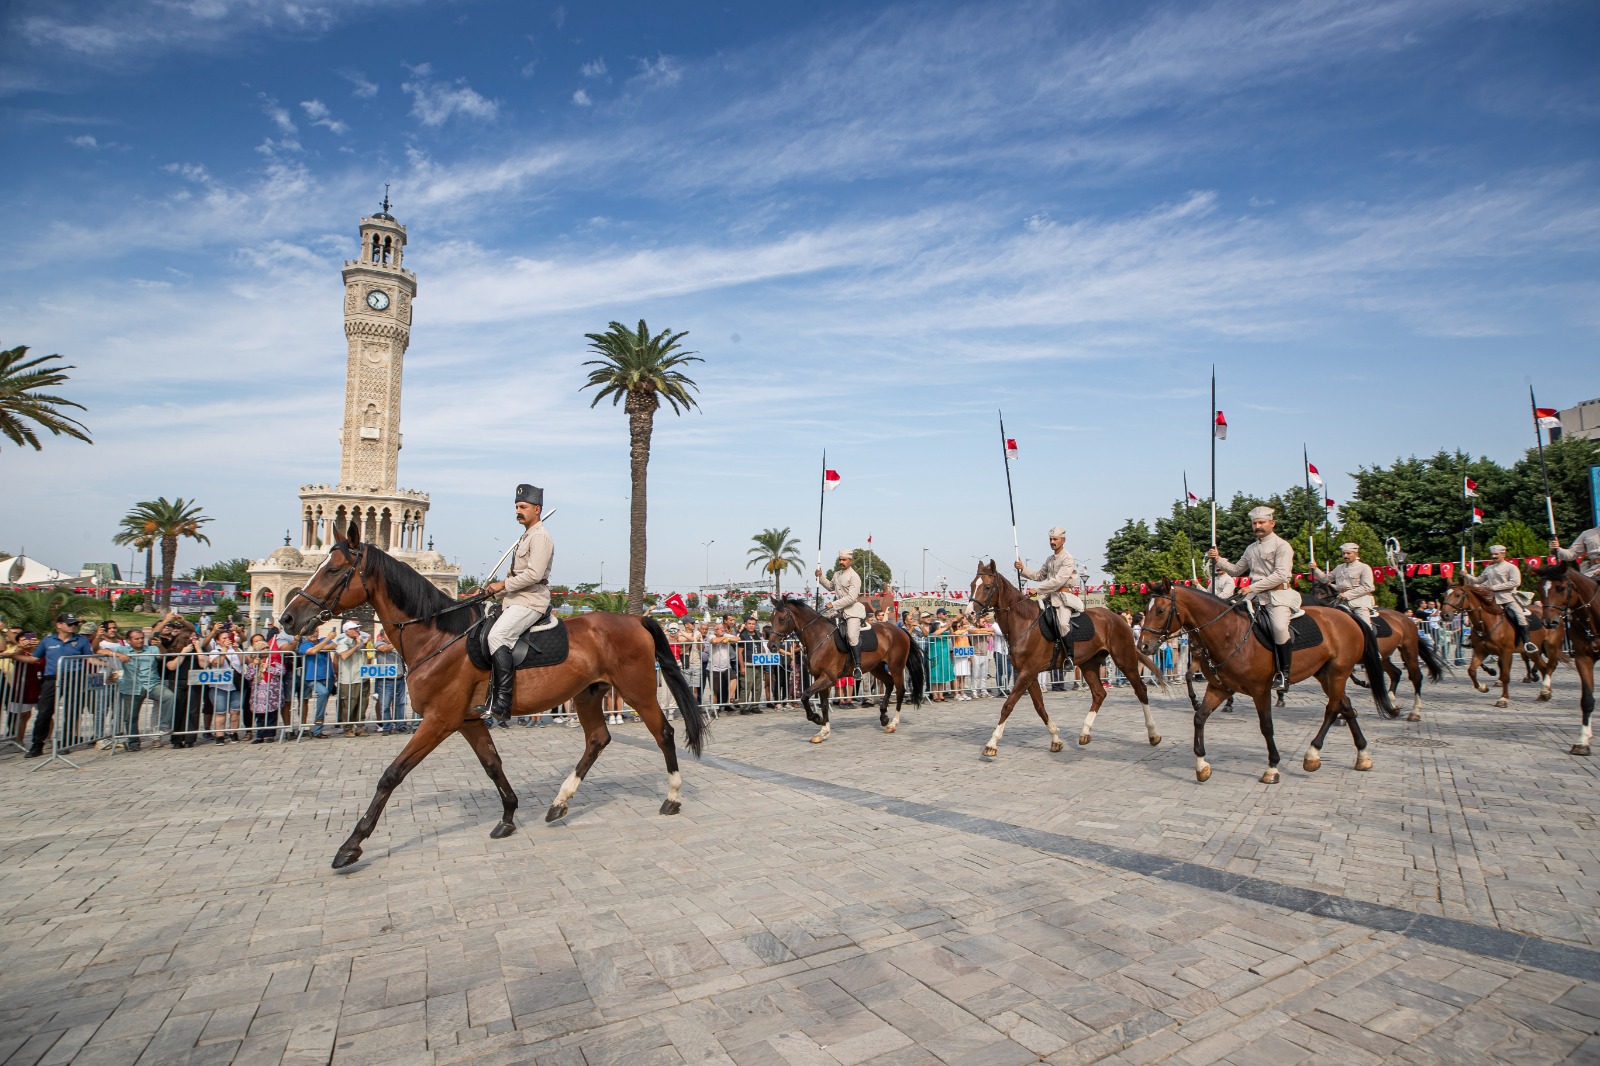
{"points": [[897, 663]]}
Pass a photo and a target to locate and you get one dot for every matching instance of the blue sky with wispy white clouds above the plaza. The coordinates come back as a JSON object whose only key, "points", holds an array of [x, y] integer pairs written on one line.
{"points": [[879, 225]]}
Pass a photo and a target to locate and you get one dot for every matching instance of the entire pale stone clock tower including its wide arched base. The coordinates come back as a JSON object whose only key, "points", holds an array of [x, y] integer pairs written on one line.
{"points": [[378, 295]]}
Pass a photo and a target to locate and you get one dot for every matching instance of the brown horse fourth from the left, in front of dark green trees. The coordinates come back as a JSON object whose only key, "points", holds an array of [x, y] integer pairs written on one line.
{"points": [[1238, 662]]}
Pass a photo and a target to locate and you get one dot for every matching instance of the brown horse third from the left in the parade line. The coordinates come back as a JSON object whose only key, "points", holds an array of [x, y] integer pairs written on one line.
{"points": [[1031, 655]]}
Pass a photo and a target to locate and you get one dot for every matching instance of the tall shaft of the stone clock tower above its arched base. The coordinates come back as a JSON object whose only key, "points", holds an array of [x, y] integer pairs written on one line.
{"points": [[378, 294]]}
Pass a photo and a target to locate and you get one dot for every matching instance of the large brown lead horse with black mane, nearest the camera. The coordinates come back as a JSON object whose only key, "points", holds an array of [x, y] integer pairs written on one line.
{"points": [[430, 633]]}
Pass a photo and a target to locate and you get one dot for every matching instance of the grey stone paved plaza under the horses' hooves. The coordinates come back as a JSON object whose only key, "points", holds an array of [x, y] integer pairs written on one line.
{"points": [[870, 900]]}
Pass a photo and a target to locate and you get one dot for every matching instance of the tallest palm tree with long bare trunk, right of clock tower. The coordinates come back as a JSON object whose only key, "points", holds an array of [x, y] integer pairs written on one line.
{"points": [[639, 371]]}
